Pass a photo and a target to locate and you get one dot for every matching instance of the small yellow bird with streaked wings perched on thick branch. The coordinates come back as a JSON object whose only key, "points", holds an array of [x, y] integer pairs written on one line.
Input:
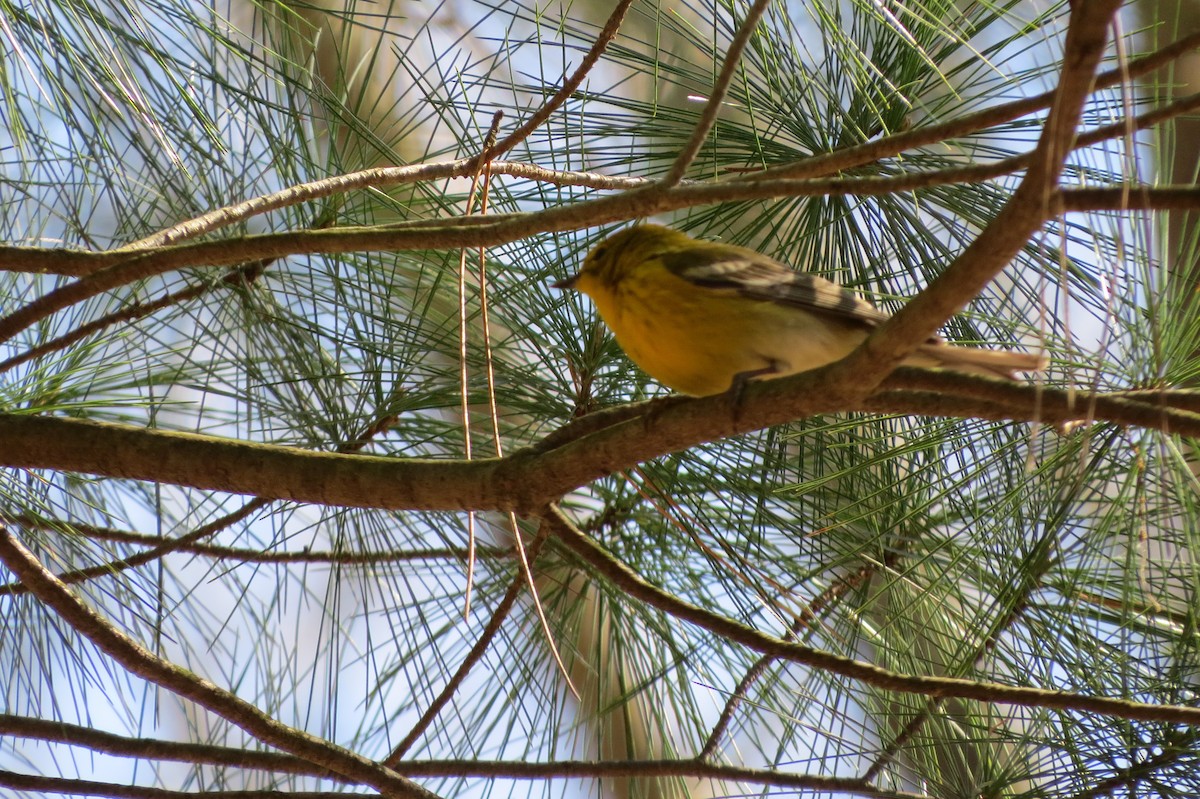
{"points": [[703, 317]]}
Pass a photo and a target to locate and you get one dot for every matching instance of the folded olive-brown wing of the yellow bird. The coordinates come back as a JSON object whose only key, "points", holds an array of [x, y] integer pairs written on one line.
{"points": [[759, 278]]}
